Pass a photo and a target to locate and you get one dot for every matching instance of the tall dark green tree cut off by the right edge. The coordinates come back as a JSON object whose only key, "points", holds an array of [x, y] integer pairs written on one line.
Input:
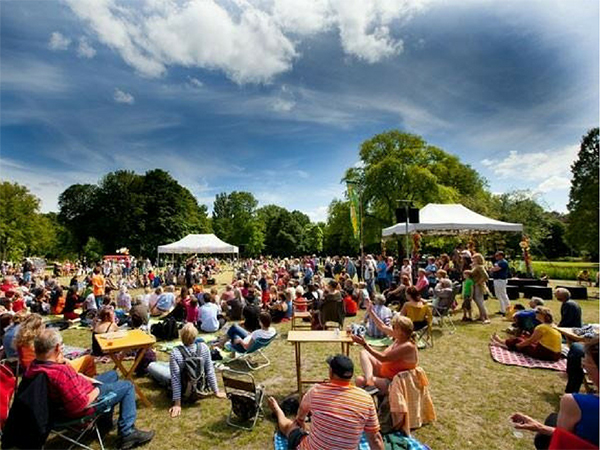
{"points": [[582, 231]]}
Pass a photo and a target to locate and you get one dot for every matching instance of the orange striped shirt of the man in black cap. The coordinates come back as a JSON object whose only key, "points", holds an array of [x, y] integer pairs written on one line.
{"points": [[340, 413]]}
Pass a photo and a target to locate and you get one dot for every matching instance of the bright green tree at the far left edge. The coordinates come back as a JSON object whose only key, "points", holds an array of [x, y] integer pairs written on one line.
{"points": [[19, 215]]}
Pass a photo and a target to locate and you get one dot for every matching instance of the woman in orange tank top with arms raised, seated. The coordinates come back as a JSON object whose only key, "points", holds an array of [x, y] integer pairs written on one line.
{"points": [[379, 368]]}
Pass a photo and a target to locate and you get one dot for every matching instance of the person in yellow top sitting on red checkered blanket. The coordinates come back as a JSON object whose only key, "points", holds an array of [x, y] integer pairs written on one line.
{"points": [[544, 343]]}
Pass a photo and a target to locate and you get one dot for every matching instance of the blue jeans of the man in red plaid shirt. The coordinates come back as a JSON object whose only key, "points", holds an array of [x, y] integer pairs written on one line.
{"points": [[125, 398]]}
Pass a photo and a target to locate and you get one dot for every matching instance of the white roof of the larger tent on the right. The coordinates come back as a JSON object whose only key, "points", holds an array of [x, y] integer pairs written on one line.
{"points": [[447, 218]]}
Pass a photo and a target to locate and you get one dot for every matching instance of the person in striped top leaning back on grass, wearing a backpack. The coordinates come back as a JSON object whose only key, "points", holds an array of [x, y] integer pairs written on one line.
{"points": [[170, 375]]}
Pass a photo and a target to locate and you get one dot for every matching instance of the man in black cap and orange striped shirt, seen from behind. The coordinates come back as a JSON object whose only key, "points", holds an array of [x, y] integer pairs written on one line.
{"points": [[340, 413]]}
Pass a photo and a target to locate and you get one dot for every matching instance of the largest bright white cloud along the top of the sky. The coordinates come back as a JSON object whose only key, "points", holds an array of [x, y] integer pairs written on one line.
{"points": [[251, 42]]}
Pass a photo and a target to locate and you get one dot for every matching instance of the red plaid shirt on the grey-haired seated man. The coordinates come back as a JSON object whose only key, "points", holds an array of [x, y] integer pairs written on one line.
{"points": [[66, 388]]}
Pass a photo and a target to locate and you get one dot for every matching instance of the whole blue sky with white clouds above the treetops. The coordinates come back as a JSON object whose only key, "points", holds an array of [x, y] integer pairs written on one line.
{"points": [[275, 96]]}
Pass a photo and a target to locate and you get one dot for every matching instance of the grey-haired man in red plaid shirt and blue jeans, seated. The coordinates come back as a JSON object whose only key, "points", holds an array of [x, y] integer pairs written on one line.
{"points": [[73, 393]]}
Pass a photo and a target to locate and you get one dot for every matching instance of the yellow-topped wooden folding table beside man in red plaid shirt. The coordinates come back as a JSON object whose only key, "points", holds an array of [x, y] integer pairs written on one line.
{"points": [[117, 344]]}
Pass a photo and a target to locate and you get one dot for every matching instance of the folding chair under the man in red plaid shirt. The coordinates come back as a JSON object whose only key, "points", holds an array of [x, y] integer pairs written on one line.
{"points": [[82, 425]]}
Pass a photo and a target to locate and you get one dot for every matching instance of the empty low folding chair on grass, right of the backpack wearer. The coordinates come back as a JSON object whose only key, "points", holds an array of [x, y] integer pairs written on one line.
{"points": [[246, 398]]}
